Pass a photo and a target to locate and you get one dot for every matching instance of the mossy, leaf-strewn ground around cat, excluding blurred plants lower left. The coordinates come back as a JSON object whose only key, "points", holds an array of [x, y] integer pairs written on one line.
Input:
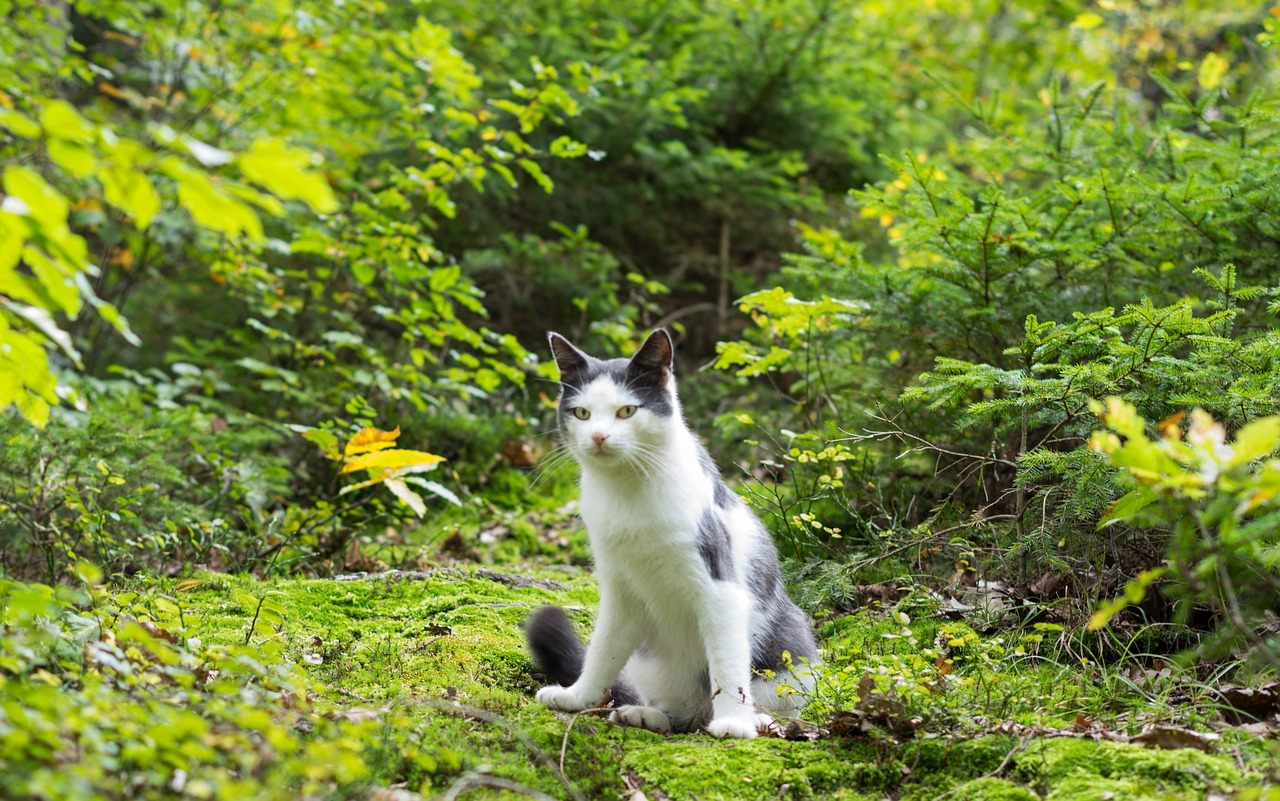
{"points": [[433, 666]]}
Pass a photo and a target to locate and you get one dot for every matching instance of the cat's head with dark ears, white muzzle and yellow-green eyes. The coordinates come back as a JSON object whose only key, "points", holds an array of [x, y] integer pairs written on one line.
{"points": [[618, 414]]}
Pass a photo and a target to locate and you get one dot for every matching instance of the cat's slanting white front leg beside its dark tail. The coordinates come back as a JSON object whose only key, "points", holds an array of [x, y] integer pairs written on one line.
{"points": [[618, 634]]}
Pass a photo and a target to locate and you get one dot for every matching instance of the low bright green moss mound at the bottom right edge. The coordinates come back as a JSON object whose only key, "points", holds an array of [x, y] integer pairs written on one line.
{"points": [[1068, 770]]}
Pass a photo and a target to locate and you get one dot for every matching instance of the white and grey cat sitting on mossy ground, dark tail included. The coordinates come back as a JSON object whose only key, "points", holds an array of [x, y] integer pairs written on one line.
{"points": [[696, 629]]}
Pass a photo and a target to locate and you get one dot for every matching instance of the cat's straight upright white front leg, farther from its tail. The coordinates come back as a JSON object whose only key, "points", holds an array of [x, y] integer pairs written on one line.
{"points": [[729, 657]]}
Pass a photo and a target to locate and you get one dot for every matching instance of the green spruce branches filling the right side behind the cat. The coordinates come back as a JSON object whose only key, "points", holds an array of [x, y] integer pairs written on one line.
{"points": [[1057, 253]]}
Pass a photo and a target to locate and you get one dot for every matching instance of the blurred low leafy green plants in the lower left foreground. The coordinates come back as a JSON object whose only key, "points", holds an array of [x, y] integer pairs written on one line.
{"points": [[150, 710]]}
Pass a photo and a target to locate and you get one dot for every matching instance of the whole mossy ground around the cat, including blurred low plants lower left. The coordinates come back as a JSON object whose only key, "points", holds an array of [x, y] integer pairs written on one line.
{"points": [[226, 688]]}
